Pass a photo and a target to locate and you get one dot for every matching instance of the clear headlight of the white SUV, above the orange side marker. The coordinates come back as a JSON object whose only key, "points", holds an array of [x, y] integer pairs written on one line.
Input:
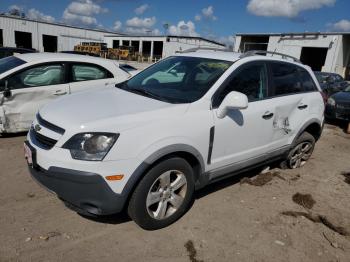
{"points": [[90, 146]]}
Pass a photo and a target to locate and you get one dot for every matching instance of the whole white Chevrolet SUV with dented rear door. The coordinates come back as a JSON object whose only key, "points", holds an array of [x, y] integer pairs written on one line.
{"points": [[185, 122]]}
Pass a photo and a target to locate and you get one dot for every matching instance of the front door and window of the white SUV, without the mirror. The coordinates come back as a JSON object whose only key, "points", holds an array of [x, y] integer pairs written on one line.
{"points": [[243, 136]]}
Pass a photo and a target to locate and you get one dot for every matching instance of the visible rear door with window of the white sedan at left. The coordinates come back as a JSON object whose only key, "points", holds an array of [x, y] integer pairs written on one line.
{"points": [[88, 76]]}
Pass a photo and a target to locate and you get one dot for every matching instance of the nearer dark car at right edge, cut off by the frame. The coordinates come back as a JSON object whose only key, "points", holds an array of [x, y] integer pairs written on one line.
{"points": [[338, 106]]}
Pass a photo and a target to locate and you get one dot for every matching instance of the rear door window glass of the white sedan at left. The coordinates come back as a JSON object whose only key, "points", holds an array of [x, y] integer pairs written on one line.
{"points": [[86, 72]]}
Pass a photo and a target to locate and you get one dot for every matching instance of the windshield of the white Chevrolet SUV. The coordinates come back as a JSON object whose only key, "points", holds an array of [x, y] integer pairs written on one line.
{"points": [[177, 79]]}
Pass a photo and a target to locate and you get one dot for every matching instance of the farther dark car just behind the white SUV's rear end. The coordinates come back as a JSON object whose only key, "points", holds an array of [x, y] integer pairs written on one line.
{"points": [[331, 83]]}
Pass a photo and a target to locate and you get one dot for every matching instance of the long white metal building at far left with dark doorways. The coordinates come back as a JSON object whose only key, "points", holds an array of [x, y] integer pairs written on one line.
{"points": [[43, 36]]}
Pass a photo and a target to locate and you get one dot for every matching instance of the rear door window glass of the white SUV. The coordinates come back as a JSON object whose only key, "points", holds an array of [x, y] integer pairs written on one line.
{"points": [[285, 79]]}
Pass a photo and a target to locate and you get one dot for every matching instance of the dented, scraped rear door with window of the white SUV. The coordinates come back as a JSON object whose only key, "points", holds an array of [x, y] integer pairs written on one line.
{"points": [[293, 92]]}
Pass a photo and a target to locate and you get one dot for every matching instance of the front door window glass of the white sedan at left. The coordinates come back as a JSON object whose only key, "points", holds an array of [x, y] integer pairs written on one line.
{"points": [[44, 75]]}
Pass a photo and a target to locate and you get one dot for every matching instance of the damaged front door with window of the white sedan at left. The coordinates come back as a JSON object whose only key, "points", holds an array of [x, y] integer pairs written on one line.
{"points": [[29, 90]]}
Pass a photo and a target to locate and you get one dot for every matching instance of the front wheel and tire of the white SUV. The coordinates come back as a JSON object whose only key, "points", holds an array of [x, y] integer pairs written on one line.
{"points": [[163, 195]]}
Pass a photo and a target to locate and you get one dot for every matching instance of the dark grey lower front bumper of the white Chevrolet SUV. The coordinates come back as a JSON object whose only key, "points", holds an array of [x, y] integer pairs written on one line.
{"points": [[84, 192]]}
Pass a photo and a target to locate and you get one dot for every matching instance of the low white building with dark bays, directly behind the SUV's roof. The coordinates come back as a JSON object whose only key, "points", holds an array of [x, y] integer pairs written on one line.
{"points": [[156, 47]]}
